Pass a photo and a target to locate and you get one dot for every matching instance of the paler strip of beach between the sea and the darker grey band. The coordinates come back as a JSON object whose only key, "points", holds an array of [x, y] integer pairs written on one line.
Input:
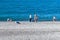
{"points": [[42, 26]]}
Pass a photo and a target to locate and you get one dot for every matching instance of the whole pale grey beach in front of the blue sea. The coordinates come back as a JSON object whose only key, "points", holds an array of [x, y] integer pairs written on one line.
{"points": [[30, 31]]}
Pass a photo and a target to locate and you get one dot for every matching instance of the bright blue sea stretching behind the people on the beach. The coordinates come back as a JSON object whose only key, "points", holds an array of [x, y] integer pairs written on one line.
{"points": [[20, 9]]}
